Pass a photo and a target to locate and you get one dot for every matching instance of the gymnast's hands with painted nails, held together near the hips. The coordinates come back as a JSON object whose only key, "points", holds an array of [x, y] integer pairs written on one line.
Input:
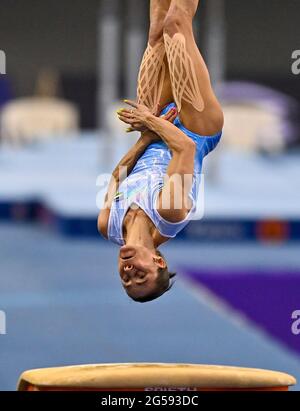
{"points": [[137, 117]]}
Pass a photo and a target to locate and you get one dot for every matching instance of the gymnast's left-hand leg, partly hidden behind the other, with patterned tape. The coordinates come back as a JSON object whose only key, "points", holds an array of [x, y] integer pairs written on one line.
{"points": [[154, 84]]}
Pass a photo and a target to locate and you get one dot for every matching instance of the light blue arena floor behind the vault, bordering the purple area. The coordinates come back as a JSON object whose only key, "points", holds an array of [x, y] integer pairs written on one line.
{"points": [[64, 306]]}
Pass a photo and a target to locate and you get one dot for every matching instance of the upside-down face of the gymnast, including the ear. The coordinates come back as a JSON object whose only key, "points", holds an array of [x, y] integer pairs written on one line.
{"points": [[138, 267]]}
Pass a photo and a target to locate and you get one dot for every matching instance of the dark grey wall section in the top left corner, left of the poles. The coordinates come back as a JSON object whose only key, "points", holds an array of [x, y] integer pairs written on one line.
{"points": [[39, 33]]}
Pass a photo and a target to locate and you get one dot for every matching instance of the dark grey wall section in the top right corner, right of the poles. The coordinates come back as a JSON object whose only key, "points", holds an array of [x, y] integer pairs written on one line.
{"points": [[261, 36]]}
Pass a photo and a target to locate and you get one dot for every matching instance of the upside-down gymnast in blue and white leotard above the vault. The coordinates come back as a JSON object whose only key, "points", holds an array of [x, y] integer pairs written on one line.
{"points": [[173, 142]]}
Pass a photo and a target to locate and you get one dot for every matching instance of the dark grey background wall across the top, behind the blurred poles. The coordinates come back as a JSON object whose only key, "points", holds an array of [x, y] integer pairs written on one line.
{"points": [[261, 35]]}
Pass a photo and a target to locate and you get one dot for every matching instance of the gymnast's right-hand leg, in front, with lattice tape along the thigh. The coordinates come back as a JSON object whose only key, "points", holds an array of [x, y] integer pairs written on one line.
{"points": [[199, 108]]}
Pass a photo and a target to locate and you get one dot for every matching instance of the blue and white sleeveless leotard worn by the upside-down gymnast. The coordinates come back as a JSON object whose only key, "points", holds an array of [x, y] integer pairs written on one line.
{"points": [[142, 186]]}
